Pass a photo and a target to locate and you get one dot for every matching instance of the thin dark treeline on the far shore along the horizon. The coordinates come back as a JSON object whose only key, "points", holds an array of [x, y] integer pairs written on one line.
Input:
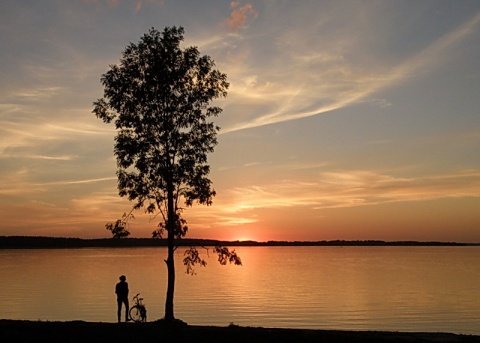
{"points": [[38, 242]]}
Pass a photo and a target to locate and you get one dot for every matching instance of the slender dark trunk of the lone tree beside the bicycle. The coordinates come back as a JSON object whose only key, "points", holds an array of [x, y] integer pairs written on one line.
{"points": [[171, 224]]}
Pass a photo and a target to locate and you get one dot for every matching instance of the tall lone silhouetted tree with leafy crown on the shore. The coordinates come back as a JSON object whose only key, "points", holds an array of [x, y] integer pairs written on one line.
{"points": [[158, 97]]}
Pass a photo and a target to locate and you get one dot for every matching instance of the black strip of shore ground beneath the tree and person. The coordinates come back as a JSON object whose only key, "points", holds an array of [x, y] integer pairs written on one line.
{"points": [[78, 331]]}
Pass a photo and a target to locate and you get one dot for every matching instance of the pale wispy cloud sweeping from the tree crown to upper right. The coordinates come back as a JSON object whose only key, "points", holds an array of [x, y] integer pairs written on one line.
{"points": [[317, 83]]}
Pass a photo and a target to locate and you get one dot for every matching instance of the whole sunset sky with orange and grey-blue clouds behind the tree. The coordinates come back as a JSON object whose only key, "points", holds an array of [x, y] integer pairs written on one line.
{"points": [[344, 120]]}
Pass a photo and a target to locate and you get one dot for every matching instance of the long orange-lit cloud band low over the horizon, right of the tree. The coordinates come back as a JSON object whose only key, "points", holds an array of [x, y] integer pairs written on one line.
{"points": [[331, 190]]}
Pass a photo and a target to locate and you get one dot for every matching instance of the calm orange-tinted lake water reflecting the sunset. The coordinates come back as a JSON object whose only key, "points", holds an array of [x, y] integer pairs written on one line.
{"points": [[360, 288]]}
